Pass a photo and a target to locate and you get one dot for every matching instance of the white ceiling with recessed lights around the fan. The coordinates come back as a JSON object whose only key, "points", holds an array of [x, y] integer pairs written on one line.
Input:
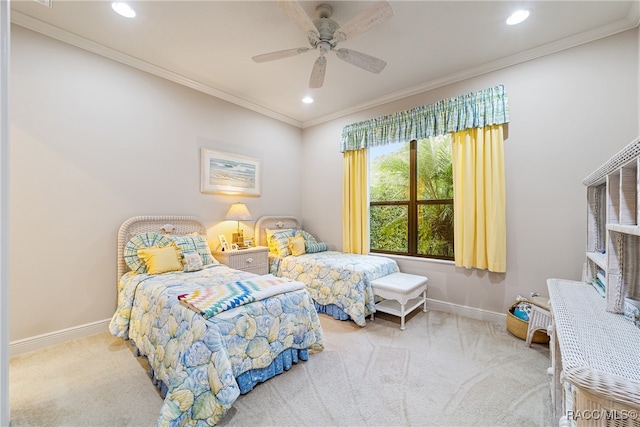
{"points": [[208, 45]]}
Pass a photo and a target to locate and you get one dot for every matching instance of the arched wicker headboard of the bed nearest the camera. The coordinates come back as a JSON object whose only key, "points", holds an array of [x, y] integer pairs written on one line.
{"points": [[165, 224]]}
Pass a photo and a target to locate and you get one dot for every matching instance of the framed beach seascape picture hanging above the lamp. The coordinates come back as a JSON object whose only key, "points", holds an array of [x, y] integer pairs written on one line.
{"points": [[227, 173]]}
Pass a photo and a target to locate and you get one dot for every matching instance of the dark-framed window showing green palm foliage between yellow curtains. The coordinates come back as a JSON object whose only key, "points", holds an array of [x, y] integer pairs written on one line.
{"points": [[411, 198]]}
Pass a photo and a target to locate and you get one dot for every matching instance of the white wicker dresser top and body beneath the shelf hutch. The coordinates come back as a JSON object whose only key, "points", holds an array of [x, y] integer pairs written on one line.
{"points": [[595, 359]]}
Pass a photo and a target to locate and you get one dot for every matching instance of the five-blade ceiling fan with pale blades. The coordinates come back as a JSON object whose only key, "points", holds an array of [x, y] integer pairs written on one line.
{"points": [[324, 35]]}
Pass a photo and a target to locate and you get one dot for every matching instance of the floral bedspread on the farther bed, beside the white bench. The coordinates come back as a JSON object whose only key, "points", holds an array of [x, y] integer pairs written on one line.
{"points": [[338, 278]]}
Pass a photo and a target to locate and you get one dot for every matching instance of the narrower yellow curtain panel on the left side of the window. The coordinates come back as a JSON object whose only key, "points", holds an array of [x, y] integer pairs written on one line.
{"points": [[355, 211]]}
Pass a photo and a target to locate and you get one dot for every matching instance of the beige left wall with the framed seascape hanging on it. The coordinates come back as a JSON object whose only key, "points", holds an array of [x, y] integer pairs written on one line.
{"points": [[94, 142]]}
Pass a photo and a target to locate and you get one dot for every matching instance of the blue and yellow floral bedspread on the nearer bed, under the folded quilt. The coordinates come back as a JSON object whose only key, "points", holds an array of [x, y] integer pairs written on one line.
{"points": [[197, 359]]}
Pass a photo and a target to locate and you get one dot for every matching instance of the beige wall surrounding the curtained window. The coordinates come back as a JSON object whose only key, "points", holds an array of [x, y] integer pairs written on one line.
{"points": [[570, 112]]}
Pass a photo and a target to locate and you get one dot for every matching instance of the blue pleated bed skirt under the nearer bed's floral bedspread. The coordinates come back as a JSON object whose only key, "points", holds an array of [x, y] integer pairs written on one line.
{"points": [[247, 380]]}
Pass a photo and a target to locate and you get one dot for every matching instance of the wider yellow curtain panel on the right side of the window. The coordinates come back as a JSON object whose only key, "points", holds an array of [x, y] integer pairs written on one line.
{"points": [[479, 198]]}
